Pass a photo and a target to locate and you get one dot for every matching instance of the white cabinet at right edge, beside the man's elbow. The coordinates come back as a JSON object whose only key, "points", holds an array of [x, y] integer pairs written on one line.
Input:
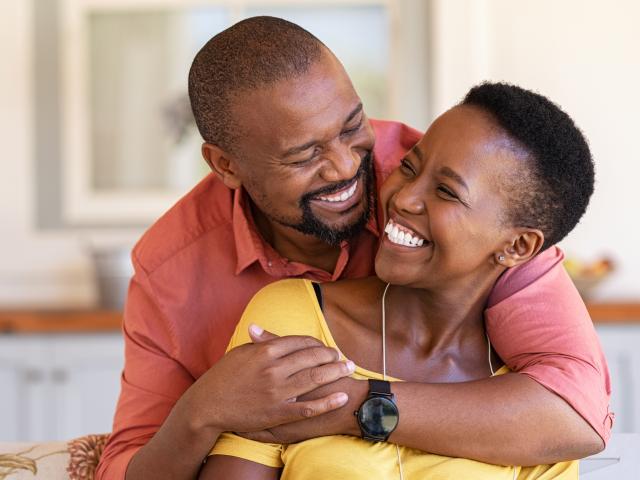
{"points": [[621, 344]]}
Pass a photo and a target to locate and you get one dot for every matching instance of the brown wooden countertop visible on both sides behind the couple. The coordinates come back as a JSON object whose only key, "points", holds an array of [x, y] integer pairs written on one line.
{"points": [[96, 321]]}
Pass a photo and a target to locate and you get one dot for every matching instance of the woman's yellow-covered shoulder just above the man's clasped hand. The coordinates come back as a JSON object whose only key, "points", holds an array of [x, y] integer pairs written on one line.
{"points": [[285, 307]]}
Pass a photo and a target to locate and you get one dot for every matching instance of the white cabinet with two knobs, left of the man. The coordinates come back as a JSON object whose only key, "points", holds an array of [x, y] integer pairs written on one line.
{"points": [[56, 387]]}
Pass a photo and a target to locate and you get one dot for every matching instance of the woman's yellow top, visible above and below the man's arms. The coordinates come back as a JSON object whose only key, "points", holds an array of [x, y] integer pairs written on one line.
{"points": [[290, 307]]}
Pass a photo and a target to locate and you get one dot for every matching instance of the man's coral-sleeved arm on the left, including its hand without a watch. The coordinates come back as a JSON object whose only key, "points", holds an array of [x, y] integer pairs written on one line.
{"points": [[166, 422]]}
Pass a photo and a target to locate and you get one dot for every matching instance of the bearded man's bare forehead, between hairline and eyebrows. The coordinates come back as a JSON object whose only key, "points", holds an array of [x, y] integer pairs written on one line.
{"points": [[311, 106]]}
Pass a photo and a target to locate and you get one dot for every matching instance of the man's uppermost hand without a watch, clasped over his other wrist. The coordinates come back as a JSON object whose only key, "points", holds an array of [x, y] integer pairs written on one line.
{"points": [[255, 386]]}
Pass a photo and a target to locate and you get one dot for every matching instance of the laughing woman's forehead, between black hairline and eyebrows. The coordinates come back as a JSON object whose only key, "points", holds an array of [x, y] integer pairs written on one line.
{"points": [[468, 140]]}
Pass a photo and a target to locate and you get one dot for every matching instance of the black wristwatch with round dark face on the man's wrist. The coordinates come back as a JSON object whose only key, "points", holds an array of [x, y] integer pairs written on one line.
{"points": [[378, 415]]}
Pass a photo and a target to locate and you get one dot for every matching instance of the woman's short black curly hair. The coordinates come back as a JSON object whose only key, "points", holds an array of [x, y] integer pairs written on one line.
{"points": [[553, 191]]}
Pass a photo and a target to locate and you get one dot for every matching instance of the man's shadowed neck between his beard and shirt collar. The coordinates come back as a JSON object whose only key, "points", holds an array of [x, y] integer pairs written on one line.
{"points": [[296, 246]]}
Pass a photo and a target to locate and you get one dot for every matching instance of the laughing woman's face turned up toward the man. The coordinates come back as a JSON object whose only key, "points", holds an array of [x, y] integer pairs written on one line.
{"points": [[450, 196]]}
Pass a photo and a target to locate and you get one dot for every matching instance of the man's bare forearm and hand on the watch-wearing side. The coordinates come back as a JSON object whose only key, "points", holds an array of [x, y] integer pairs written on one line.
{"points": [[508, 419]]}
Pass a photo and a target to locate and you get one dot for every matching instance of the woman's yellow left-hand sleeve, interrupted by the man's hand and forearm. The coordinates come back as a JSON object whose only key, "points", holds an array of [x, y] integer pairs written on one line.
{"points": [[286, 307]]}
